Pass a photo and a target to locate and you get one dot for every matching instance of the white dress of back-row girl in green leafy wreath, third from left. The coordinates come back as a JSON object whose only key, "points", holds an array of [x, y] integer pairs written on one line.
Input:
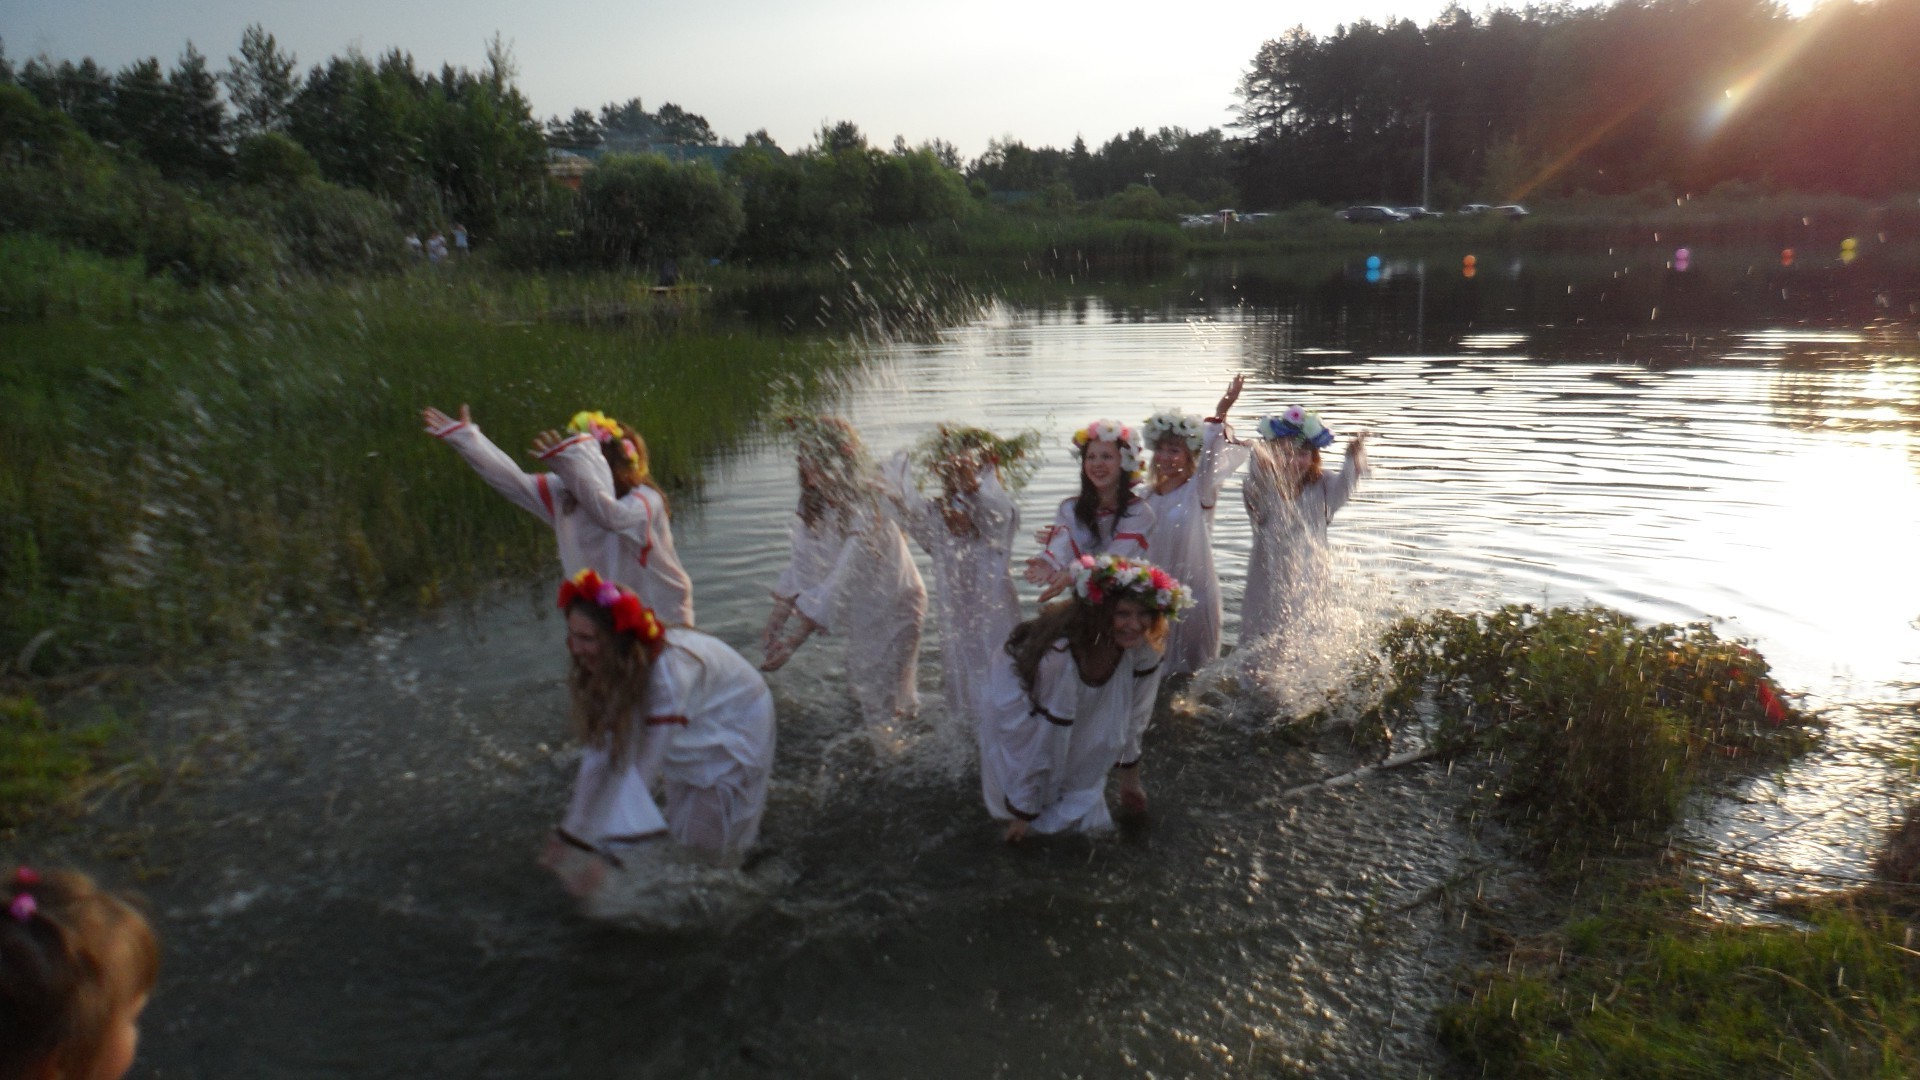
{"points": [[971, 577]]}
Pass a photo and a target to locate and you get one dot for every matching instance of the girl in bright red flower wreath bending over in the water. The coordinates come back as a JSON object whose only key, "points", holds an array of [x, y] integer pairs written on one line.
{"points": [[660, 708]]}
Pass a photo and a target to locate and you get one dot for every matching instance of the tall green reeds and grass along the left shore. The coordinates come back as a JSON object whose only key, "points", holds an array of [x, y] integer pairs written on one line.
{"points": [[254, 466]]}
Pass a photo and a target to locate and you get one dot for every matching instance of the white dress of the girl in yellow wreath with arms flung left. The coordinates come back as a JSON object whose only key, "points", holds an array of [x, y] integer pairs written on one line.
{"points": [[625, 541]]}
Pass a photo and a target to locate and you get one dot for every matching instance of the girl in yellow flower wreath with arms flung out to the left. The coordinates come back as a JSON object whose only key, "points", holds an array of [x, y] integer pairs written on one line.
{"points": [[602, 503]]}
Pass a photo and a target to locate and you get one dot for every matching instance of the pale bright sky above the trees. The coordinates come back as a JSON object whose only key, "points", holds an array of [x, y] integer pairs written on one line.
{"points": [[1040, 72]]}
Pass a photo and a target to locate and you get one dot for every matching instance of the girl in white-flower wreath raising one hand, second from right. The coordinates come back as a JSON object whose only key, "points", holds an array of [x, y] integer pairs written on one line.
{"points": [[1193, 460]]}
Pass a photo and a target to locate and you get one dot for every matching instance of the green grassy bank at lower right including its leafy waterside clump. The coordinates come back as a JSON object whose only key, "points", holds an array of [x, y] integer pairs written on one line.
{"points": [[1595, 735]]}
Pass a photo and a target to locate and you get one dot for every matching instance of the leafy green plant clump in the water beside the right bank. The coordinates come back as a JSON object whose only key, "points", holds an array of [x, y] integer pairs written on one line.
{"points": [[1595, 727]]}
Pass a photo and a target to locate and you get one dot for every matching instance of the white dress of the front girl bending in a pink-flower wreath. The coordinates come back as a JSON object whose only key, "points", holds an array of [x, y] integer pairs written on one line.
{"points": [[1045, 758]]}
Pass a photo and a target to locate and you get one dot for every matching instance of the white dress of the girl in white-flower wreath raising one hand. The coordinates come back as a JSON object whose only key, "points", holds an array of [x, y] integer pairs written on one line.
{"points": [[1184, 547]]}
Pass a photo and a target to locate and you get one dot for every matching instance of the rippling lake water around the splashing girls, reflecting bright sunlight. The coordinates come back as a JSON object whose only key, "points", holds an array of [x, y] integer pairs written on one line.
{"points": [[354, 887]]}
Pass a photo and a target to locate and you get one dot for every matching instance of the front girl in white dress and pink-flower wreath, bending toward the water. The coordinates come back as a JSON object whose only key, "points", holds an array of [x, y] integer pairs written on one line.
{"points": [[1070, 699]]}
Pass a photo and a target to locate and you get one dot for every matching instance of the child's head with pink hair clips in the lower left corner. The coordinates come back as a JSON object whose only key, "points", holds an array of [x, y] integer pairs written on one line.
{"points": [[76, 970]]}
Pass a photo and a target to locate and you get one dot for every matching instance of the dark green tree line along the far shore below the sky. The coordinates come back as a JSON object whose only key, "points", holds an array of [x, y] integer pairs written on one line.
{"points": [[1639, 95]]}
